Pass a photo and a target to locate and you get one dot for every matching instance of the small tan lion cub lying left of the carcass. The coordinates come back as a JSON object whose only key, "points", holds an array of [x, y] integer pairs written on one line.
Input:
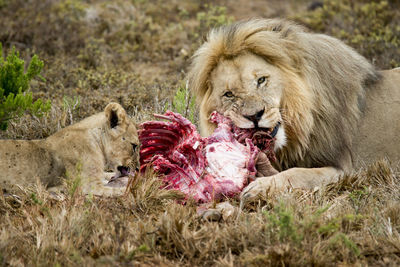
{"points": [[102, 142]]}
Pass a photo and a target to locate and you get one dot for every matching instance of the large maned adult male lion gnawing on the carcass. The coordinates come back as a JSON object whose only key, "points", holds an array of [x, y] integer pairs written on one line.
{"points": [[330, 109]]}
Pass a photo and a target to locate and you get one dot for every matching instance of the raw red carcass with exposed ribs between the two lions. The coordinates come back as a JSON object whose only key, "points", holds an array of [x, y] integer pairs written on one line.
{"points": [[205, 169]]}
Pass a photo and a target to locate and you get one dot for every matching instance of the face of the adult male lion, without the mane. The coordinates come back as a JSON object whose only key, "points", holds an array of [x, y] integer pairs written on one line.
{"points": [[249, 91]]}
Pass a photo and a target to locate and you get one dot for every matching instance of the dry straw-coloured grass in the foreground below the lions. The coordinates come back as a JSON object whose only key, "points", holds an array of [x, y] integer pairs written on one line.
{"points": [[355, 221]]}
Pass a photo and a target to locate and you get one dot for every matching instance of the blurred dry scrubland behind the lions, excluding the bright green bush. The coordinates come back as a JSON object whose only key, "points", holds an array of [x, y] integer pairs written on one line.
{"points": [[137, 52]]}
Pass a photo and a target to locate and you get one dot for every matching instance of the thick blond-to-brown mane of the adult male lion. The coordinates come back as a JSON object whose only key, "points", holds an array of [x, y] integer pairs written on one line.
{"points": [[325, 87]]}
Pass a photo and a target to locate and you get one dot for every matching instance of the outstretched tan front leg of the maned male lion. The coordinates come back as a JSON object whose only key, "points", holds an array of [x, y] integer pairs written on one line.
{"points": [[300, 178]]}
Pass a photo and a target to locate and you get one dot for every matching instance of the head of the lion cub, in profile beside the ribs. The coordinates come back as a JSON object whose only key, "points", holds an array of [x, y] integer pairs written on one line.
{"points": [[121, 139]]}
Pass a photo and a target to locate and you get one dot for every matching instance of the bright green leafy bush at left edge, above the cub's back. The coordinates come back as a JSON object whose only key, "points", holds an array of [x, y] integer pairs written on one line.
{"points": [[15, 99]]}
